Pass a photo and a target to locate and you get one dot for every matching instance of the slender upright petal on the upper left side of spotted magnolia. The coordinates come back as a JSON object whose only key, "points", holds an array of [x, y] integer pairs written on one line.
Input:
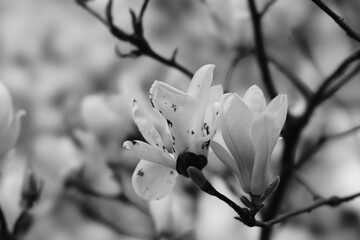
{"points": [[145, 125]]}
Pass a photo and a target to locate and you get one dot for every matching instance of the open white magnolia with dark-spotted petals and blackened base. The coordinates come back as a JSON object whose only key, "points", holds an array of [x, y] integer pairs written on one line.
{"points": [[190, 121]]}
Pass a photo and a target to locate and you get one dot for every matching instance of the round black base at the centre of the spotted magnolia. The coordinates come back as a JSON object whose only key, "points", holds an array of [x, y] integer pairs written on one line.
{"points": [[189, 159]]}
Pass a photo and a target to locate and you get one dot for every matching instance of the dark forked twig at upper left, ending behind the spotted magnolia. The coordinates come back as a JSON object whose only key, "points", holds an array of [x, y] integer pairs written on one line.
{"points": [[137, 38]]}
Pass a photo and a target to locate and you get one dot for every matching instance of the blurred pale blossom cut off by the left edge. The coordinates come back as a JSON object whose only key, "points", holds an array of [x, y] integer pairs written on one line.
{"points": [[9, 122]]}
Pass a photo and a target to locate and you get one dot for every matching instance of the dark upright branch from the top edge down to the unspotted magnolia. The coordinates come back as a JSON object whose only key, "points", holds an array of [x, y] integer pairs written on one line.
{"points": [[260, 49]]}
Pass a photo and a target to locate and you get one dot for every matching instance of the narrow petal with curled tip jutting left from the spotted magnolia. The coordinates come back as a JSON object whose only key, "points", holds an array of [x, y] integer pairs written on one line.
{"points": [[150, 153]]}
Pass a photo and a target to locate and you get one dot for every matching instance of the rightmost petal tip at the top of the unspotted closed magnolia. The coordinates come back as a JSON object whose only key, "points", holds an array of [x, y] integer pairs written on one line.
{"points": [[279, 107]]}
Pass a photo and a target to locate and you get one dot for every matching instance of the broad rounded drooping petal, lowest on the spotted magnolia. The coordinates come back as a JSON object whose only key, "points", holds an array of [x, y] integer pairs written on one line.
{"points": [[153, 181]]}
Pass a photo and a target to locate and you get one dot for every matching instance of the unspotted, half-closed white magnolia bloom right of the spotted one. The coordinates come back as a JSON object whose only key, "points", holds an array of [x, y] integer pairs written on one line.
{"points": [[249, 132]]}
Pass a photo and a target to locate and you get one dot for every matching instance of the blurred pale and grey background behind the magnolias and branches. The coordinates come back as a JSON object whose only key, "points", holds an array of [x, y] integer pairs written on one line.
{"points": [[59, 63]]}
